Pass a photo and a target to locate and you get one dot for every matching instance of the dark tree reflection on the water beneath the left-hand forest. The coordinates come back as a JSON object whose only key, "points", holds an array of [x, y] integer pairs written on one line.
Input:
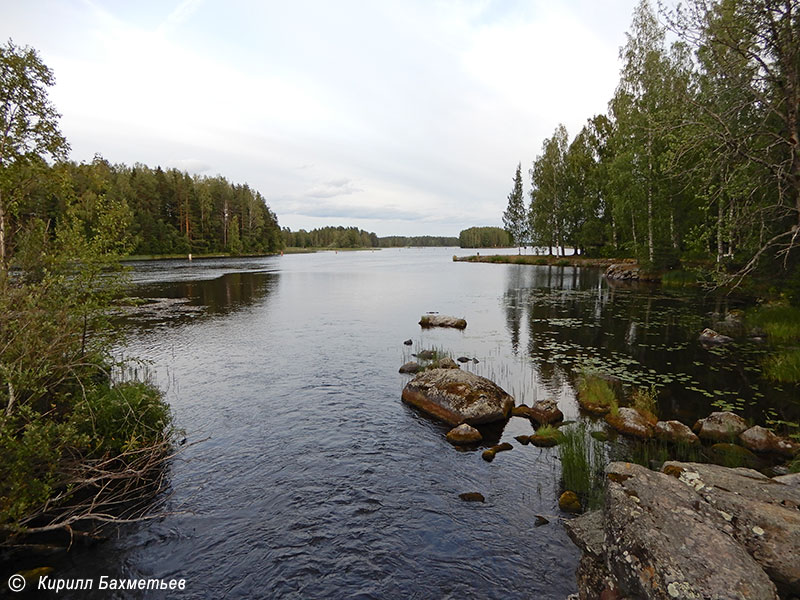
{"points": [[178, 301]]}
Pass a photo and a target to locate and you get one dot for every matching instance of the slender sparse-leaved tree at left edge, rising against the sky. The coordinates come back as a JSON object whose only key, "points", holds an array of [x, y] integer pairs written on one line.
{"points": [[28, 126]]}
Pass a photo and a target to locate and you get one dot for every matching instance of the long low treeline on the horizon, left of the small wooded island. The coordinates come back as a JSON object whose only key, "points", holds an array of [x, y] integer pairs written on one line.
{"points": [[352, 237]]}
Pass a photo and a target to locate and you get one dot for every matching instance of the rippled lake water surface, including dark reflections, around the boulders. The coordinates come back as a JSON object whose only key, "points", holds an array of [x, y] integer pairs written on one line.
{"points": [[305, 476]]}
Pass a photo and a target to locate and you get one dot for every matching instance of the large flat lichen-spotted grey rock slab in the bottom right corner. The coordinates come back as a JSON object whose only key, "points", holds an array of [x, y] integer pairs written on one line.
{"points": [[692, 531]]}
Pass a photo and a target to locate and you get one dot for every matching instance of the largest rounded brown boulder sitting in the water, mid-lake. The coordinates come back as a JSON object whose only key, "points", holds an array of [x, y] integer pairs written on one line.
{"points": [[457, 396]]}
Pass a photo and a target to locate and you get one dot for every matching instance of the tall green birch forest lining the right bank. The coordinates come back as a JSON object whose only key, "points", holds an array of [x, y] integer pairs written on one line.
{"points": [[697, 157]]}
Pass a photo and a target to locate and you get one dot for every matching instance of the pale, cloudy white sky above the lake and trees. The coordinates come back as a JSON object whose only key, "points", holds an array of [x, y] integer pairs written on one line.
{"points": [[402, 117]]}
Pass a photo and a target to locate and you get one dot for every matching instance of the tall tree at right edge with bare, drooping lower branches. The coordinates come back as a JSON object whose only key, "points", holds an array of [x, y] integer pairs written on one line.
{"points": [[748, 56]]}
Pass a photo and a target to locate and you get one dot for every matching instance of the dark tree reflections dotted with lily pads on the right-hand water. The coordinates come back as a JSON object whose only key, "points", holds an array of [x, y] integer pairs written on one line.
{"points": [[644, 335]]}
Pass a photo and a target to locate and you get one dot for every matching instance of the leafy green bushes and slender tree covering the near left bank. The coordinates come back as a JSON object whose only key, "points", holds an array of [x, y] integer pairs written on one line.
{"points": [[60, 416]]}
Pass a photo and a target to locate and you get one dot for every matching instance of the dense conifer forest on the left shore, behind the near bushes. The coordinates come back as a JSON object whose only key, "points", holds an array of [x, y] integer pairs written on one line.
{"points": [[164, 212]]}
